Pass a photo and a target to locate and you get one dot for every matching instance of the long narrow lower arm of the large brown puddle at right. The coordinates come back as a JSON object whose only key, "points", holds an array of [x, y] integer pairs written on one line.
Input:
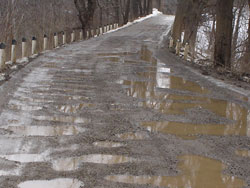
{"points": [[187, 129]]}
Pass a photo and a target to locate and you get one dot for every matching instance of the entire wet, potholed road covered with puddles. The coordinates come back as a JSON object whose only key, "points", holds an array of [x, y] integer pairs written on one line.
{"points": [[121, 111]]}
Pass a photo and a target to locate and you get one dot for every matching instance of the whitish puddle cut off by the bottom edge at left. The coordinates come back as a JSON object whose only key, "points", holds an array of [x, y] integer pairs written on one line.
{"points": [[60, 183]]}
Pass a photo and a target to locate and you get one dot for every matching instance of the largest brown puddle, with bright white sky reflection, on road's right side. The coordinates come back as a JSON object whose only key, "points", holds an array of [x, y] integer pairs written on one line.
{"points": [[190, 95]]}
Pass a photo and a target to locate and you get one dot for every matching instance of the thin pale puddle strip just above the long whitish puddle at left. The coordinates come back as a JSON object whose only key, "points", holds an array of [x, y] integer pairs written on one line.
{"points": [[64, 119]]}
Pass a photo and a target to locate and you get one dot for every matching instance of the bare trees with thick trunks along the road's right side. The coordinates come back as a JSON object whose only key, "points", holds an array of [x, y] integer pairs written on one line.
{"points": [[226, 24]]}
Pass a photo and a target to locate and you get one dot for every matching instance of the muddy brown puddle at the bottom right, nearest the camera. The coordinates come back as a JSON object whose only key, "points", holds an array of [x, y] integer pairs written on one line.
{"points": [[197, 172]]}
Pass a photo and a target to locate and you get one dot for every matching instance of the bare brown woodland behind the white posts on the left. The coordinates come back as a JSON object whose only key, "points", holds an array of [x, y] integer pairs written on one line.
{"points": [[29, 18]]}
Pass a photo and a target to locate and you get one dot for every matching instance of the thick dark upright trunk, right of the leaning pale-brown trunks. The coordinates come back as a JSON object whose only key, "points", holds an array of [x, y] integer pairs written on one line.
{"points": [[223, 35]]}
